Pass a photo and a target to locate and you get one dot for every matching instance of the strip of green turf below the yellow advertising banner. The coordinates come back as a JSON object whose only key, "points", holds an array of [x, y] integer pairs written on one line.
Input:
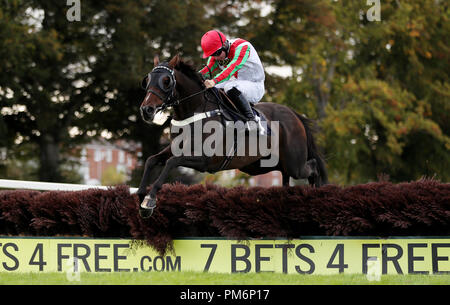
{"points": [[196, 278]]}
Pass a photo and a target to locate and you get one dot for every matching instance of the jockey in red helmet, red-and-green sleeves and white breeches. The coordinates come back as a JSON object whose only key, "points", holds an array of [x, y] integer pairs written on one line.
{"points": [[237, 68]]}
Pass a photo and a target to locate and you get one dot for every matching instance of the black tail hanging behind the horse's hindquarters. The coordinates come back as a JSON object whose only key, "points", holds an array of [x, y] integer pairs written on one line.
{"points": [[313, 151]]}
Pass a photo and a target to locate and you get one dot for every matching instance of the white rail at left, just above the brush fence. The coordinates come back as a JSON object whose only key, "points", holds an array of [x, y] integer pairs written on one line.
{"points": [[49, 186]]}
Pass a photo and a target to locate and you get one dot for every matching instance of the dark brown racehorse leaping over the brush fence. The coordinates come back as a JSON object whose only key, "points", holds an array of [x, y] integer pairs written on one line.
{"points": [[178, 85]]}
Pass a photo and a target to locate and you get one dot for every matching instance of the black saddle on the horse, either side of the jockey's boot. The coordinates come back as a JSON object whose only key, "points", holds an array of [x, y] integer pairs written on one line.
{"points": [[231, 113]]}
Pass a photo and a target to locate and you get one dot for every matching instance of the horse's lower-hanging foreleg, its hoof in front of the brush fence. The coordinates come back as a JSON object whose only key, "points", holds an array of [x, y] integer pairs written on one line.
{"points": [[149, 202]]}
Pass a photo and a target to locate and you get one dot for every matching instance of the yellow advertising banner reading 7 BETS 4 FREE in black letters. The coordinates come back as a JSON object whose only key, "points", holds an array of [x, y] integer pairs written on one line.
{"points": [[318, 255]]}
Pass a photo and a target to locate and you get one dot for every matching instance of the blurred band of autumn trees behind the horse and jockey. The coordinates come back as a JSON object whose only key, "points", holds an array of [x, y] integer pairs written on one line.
{"points": [[378, 89]]}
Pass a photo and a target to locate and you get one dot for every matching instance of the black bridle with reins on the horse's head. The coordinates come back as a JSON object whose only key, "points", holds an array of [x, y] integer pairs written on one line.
{"points": [[169, 100]]}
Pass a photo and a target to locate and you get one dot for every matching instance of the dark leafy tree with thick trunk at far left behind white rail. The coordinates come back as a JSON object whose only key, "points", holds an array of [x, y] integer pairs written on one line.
{"points": [[44, 78]]}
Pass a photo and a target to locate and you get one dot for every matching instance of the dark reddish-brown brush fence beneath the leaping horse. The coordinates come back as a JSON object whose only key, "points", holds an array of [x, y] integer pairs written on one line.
{"points": [[376, 209]]}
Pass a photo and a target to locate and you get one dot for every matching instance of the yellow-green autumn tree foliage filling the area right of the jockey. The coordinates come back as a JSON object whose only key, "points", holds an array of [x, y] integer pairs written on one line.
{"points": [[359, 78]]}
